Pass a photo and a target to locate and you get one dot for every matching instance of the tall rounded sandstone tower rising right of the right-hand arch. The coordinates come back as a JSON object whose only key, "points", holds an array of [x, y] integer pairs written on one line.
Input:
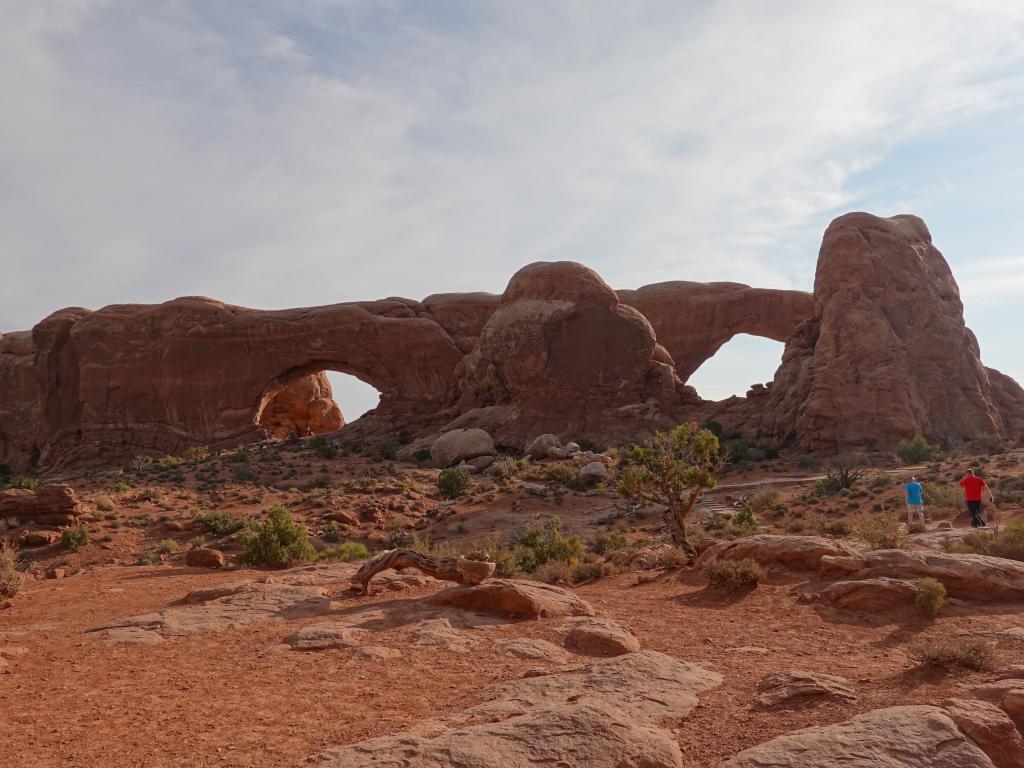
{"points": [[887, 354]]}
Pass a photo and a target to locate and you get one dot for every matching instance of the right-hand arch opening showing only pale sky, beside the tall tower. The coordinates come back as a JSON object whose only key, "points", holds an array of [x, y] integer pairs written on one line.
{"points": [[741, 363]]}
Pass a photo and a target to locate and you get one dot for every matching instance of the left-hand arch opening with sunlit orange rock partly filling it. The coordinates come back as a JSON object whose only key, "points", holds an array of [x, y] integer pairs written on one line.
{"points": [[313, 400]]}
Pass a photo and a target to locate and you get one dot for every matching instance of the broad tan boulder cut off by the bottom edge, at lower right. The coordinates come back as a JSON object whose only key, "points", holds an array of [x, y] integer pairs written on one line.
{"points": [[916, 737]]}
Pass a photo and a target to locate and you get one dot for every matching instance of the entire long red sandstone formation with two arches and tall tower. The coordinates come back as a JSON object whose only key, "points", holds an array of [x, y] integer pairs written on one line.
{"points": [[879, 353]]}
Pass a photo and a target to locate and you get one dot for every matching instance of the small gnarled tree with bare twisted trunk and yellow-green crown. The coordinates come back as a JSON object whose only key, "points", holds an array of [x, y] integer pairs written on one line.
{"points": [[674, 470]]}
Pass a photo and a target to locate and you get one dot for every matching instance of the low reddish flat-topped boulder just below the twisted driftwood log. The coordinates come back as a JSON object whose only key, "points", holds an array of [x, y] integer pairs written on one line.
{"points": [[510, 598]]}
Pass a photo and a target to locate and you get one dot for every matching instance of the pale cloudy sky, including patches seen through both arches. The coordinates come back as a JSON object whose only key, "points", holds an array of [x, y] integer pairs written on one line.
{"points": [[310, 152]]}
